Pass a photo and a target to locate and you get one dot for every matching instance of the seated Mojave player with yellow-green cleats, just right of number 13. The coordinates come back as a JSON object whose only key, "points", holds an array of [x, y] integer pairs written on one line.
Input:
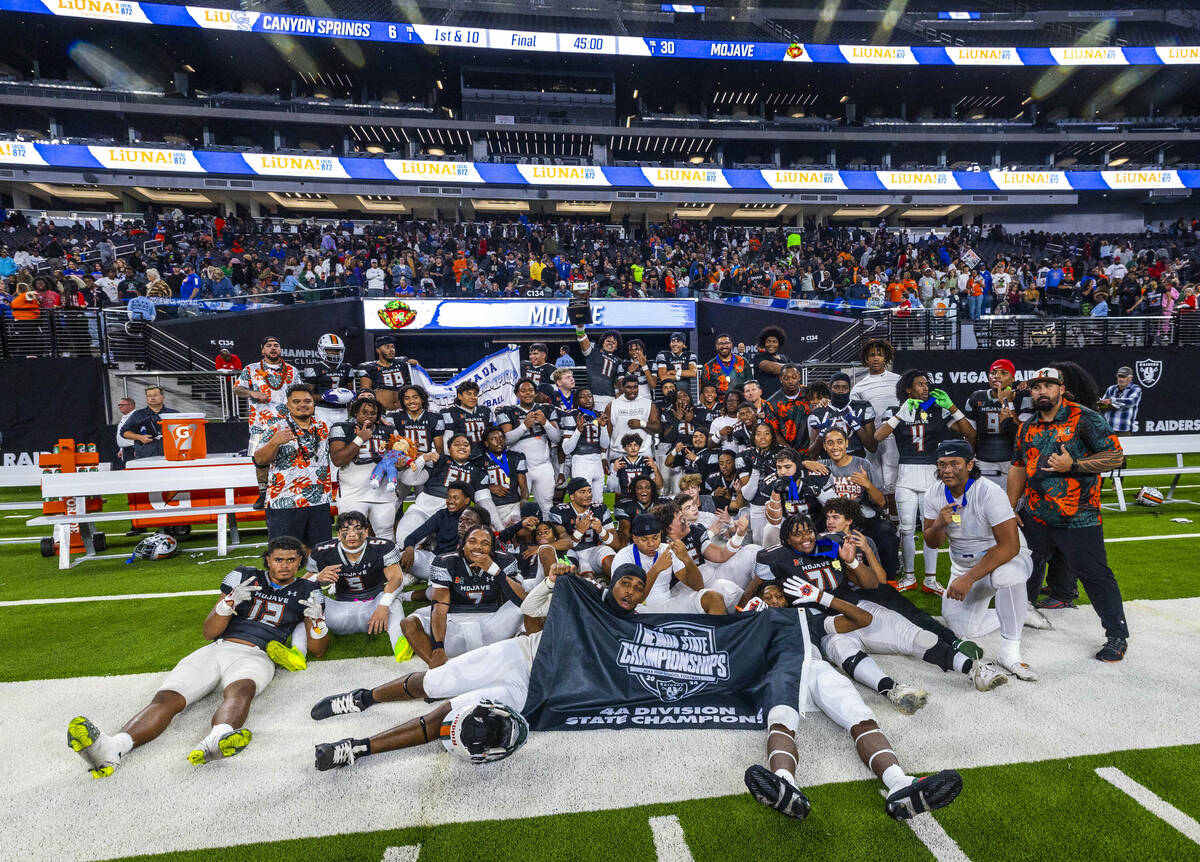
{"points": [[367, 577]]}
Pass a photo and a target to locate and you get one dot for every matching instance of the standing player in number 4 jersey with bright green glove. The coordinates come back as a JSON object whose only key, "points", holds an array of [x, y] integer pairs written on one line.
{"points": [[921, 423]]}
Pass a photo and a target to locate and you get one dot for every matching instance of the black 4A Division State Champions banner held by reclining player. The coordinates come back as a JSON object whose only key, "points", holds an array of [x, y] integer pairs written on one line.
{"points": [[595, 669]]}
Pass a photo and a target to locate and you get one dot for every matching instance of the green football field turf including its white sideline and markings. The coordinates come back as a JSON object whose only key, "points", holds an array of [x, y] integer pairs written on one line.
{"points": [[1091, 763]]}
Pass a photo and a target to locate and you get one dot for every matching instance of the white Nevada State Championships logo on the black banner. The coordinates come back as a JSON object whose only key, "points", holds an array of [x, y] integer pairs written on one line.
{"points": [[675, 661]]}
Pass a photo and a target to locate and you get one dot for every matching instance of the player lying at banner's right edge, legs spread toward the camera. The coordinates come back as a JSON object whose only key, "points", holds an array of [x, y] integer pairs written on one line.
{"points": [[815, 681]]}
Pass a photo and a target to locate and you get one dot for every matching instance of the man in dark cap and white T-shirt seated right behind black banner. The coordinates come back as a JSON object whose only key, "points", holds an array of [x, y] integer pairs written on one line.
{"points": [[674, 583]]}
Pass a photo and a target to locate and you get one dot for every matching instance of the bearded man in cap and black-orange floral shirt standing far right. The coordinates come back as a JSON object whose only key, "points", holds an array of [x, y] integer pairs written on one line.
{"points": [[1058, 462]]}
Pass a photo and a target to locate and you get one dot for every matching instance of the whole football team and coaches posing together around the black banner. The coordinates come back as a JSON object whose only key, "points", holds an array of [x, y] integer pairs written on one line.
{"points": [[758, 495]]}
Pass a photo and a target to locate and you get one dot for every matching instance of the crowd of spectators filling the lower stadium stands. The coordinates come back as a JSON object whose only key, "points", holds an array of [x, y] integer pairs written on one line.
{"points": [[195, 258]]}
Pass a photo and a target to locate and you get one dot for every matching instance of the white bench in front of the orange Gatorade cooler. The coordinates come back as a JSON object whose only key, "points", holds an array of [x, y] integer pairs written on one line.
{"points": [[83, 486]]}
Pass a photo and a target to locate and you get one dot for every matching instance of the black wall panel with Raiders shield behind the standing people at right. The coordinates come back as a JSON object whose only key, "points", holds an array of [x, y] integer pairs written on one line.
{"points": [[1168, 376]]}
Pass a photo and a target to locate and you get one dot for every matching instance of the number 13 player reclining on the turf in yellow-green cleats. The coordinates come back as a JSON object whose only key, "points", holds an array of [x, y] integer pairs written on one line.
{"points": [[257, 612]]}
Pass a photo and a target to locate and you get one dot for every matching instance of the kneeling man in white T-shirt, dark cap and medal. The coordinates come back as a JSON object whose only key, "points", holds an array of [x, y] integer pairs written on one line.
{"points": [[988, 555]]}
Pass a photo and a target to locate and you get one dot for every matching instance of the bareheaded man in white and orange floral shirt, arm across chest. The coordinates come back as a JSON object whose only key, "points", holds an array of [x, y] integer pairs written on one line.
{"points": [[296, 453]]}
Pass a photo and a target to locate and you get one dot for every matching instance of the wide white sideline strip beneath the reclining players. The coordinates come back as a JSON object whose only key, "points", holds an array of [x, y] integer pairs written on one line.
{"points": [[149, 805]]}
